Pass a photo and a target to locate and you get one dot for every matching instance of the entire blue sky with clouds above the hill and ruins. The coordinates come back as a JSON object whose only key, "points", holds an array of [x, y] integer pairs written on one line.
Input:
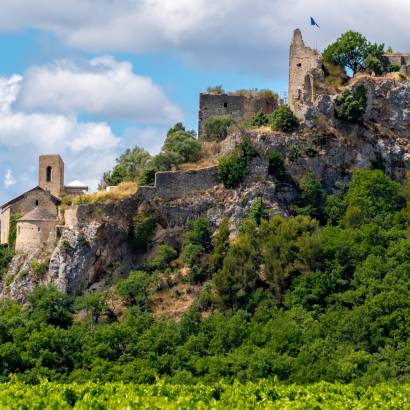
{"points": [[89, 78]]}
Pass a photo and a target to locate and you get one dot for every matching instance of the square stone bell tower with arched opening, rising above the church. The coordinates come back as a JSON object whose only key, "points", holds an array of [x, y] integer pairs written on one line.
{"points": [[51, 174]]}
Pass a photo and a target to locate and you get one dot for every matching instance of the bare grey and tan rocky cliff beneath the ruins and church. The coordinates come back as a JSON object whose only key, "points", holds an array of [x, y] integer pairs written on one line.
{"points": [[94, 245]]}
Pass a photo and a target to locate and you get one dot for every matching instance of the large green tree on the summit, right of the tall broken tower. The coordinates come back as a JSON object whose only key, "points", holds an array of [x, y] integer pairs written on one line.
{"points": [[351, 50]]}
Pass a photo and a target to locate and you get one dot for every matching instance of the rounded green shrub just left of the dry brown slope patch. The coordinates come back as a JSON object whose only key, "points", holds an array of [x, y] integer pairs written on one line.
{"points": [[134, 289]]}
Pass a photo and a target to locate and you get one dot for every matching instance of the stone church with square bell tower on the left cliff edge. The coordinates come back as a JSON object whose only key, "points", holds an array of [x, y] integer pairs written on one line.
{"points": [[37, 209]]}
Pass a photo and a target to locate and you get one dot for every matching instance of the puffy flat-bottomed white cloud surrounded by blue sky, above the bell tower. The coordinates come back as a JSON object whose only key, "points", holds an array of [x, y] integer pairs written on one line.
{"points": [[102, 86]]}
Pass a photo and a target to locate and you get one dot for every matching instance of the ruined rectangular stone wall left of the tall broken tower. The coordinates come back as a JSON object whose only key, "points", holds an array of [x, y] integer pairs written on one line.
{"points": [[241, 108]]}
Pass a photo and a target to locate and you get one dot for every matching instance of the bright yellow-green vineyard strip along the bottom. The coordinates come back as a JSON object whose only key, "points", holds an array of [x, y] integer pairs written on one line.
{"points": [[261, 395]]}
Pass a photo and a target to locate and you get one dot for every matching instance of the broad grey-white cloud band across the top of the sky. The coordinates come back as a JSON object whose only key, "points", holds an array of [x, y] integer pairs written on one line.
{"points": [[243, 34]]}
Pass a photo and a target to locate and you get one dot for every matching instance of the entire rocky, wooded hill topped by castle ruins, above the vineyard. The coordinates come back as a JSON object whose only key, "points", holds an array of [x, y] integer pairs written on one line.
{"points": [[276, 244]]}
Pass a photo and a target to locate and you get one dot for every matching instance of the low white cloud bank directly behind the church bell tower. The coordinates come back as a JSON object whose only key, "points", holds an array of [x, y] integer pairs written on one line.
{"points": [[88, 148]]}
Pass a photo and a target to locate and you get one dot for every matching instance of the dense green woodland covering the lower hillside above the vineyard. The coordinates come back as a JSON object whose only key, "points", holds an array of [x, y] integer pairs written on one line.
{"points": [[292, 298]]}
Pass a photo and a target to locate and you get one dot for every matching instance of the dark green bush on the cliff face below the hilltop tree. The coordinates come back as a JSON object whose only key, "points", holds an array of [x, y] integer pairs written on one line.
{"points": [[351, 106]]}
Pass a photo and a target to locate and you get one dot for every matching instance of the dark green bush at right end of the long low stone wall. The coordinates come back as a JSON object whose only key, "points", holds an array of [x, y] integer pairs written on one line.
{"points": [[234, 167]]}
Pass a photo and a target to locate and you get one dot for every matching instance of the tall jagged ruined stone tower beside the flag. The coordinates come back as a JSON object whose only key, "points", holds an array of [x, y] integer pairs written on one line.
{"points": [[302, 63]]}
